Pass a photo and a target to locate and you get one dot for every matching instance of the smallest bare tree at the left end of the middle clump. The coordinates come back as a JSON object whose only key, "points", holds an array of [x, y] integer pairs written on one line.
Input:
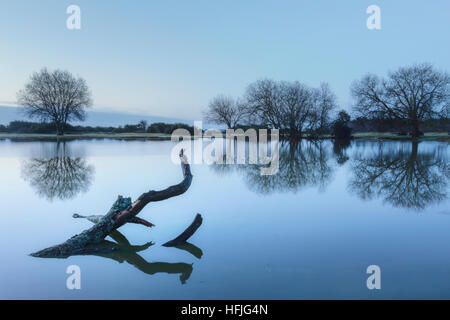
{"points": [[225, 110]]}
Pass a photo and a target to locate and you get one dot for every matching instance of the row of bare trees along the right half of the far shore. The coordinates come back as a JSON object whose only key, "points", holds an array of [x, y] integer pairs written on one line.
{"points": [[407, 101]]}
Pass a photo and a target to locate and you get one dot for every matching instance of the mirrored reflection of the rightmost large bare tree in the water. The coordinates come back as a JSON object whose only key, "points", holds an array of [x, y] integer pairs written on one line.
{"points": [[402, 178]]}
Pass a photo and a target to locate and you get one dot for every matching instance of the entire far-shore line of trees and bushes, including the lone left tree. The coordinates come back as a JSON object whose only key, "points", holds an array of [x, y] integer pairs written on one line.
{"points": [[408, 101]]}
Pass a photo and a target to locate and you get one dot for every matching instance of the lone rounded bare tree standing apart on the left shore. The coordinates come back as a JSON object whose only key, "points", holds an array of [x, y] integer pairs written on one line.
{"points": [[55, 96]]}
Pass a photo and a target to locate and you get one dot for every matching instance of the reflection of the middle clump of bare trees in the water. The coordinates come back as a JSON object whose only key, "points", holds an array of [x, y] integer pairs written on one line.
{"points": [[301, 164]]}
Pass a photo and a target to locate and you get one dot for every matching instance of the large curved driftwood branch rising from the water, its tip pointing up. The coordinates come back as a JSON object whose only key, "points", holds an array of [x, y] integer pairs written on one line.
{"points": [[122, 211]]}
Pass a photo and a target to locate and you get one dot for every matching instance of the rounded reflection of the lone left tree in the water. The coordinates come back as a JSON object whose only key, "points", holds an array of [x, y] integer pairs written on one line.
{"points": [[58, 176]]}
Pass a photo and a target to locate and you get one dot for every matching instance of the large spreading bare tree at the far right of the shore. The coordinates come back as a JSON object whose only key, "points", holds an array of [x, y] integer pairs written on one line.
{"points": [[415, 93]]}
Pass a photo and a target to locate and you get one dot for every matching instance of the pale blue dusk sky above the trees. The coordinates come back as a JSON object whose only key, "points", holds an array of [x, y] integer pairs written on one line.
{"points": [[170, 58]]}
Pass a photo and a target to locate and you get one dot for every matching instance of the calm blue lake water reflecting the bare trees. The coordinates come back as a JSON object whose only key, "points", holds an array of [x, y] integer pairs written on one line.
{"points": [[310, 231]]}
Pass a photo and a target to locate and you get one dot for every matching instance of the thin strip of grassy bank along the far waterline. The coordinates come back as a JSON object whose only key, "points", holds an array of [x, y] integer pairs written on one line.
{"points": [[436, 136]]}
